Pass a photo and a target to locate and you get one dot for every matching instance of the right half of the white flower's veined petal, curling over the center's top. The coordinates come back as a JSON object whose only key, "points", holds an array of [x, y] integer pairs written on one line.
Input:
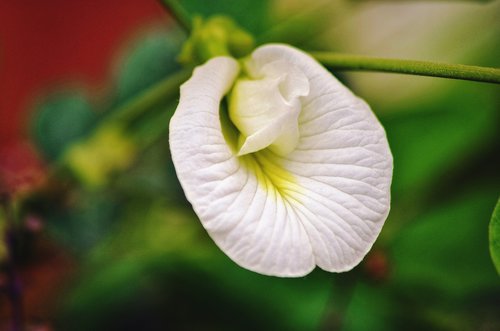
{"points": [[342, 163]]}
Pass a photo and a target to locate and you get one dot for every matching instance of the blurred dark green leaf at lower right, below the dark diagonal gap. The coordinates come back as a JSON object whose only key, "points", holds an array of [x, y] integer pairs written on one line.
{"points": [[439, 250]]}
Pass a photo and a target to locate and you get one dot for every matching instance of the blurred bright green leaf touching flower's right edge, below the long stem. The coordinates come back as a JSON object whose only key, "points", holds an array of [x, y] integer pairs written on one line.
{"points": [[431, 138]]}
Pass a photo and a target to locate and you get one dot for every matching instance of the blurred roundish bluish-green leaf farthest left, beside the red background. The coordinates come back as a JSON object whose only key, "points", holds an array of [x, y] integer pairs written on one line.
{"points": [[60, 120]]}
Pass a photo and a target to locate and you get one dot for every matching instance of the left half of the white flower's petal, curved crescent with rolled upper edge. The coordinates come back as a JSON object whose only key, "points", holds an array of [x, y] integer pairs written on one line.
{"points": [[247, 220]]}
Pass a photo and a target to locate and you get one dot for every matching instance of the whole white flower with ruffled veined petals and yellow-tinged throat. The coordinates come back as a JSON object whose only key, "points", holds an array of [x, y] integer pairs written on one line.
{"points": [[307, 180]]}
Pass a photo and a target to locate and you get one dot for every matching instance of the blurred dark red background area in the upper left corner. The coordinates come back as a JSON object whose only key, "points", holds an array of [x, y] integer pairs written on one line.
{"points": [[47, 43]]}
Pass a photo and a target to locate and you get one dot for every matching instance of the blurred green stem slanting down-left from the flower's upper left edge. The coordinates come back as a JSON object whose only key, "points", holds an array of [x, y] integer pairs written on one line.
{"points": [[163, 90]]}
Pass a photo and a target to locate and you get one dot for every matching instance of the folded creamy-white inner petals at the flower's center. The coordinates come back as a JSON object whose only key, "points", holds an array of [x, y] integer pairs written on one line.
{"points": [[265, 106]]}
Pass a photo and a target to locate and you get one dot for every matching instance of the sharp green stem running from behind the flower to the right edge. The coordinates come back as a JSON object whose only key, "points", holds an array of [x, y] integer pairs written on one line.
{"points": [[421, 68]]}
